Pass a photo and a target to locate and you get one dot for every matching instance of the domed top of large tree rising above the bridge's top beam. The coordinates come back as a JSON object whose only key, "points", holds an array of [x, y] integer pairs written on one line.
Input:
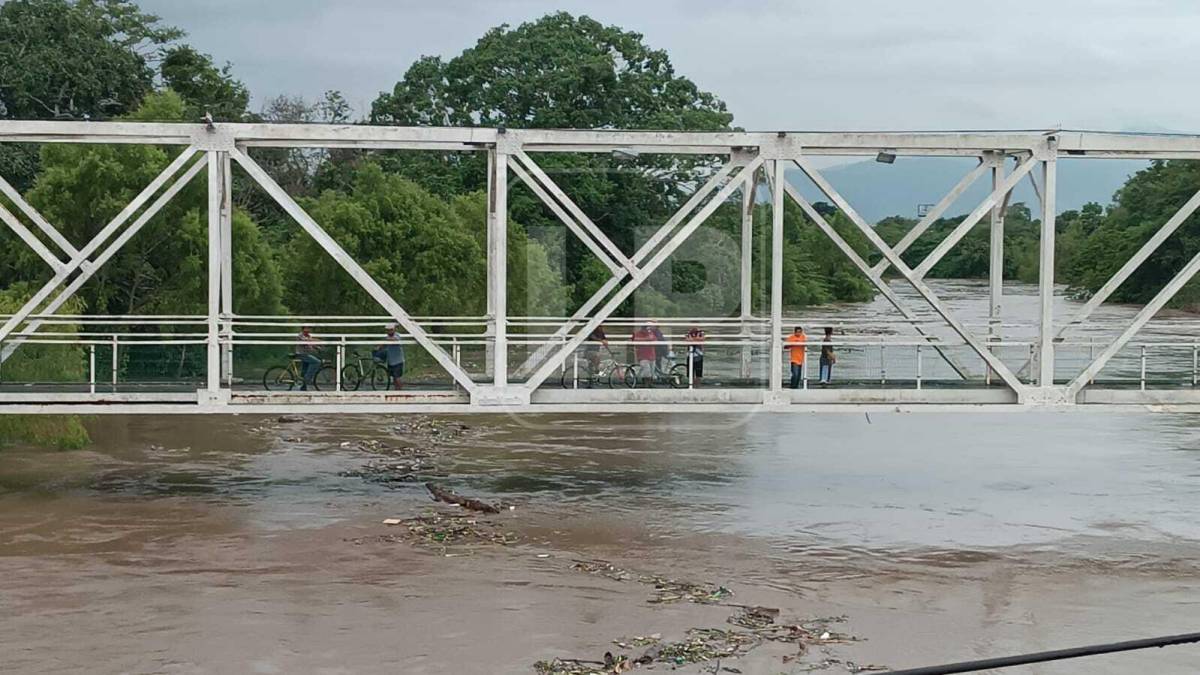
{"points": [[557, 73]]}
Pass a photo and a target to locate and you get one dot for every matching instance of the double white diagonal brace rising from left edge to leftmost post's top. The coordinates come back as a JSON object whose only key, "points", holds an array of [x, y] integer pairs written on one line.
{"points": [[81, 260]]}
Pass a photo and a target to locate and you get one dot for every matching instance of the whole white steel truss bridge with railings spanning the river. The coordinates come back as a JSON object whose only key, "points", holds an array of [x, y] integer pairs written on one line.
{"points": [[938, 361]]}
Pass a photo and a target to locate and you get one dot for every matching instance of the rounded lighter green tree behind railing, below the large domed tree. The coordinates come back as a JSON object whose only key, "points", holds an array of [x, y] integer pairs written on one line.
{"points": [[427, 253]]}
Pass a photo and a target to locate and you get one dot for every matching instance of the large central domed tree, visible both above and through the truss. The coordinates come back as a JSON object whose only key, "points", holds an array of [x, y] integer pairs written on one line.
{"points": [[559, 73]]}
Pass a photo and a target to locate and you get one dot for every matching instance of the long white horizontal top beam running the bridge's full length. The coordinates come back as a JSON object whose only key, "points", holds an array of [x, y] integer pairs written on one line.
{"points": [[1070, 144]]}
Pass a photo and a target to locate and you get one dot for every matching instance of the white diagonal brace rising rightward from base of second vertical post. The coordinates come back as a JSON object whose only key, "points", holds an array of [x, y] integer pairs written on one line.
{"points": [[645, 272]]}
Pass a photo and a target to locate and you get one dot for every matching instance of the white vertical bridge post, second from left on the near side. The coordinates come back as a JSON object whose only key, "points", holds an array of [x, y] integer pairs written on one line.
{"points": [[497, 266]]}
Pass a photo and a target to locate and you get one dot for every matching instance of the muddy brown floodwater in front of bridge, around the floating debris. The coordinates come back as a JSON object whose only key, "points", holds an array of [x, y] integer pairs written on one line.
{"points": [[237, 545]]}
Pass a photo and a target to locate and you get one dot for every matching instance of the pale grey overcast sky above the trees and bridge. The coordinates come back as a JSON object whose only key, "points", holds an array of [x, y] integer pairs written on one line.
{"points": [[801, 65]]}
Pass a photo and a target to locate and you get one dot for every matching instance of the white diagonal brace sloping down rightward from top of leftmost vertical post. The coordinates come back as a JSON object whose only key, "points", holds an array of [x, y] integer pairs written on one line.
{"points": [[353, 268]]}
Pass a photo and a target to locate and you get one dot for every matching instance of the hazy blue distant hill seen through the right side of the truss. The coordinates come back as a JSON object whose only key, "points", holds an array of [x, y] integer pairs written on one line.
{"points": [[878, 190]]}
